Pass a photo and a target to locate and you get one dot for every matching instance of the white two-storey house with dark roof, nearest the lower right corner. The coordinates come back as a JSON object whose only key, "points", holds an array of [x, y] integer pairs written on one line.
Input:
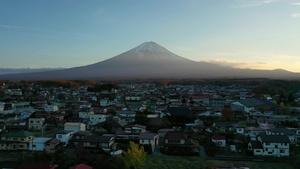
{"points": [[271, 145]]}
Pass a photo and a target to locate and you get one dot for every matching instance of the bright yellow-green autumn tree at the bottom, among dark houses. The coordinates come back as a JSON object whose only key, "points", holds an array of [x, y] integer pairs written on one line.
{"points": [[135, 156]]}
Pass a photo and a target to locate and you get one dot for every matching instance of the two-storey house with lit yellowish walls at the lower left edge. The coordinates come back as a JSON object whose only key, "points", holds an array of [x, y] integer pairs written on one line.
{"points": [[16, 140]]}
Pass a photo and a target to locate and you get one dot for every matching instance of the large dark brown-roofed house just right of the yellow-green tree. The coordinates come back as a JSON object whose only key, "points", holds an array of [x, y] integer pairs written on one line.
{"points": [[178, 143]]}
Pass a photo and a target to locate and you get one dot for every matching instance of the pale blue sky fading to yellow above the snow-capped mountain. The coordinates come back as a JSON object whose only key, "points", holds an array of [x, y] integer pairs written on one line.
{"points": [[260, 34]]}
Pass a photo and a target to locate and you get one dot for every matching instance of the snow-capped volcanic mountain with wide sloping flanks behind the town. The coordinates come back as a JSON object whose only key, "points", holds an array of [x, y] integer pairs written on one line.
{"points": [[150, 60]]}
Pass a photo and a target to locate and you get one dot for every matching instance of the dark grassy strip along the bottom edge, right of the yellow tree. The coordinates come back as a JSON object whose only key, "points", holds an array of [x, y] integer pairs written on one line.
{"points": [[197, 162]]}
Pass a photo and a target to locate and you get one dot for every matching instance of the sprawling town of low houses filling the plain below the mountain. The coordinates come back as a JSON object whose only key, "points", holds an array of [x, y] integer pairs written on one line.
{"points": [[91, 124]]}
